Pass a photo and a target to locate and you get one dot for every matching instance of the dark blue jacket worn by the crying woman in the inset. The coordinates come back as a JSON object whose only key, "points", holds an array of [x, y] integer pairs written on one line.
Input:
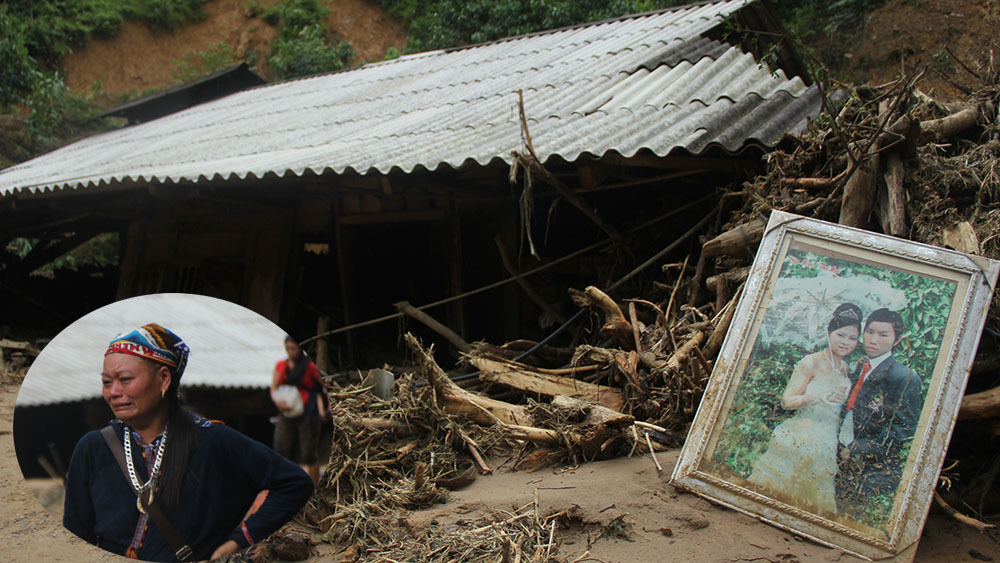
{"points": [[225, 473]]}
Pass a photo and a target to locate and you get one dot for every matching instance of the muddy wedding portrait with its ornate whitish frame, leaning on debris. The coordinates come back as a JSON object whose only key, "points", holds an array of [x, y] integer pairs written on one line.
{"points": [[832, 401]]}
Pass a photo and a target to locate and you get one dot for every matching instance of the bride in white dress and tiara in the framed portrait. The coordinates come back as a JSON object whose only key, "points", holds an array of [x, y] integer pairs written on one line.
{"points": [[801, 459]]}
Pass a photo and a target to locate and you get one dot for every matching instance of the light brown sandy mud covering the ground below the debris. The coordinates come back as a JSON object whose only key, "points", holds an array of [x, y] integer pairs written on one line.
{"points": [[651, 520]]}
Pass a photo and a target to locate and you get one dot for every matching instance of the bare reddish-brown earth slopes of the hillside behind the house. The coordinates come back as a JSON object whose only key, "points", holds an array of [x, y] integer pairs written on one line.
{"points": [[941, 36]]}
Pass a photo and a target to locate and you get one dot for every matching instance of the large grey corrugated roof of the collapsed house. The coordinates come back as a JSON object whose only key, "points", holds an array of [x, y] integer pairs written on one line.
{"points": [[651, 82]]}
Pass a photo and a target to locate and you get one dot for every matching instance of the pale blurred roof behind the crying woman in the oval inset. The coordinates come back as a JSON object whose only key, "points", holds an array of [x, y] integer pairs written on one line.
{"points": [[231, 346]]}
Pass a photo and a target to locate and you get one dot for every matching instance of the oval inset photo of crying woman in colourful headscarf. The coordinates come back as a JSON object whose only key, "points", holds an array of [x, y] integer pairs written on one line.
{"points": [[171, 427]]}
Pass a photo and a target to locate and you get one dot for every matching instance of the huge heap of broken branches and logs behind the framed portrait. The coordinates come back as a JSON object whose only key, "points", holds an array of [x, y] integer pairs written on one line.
{"points": [[886, 158]]}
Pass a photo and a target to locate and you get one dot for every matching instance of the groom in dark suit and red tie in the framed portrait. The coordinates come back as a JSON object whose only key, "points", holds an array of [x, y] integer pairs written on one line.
{"points": [[880, 418]]}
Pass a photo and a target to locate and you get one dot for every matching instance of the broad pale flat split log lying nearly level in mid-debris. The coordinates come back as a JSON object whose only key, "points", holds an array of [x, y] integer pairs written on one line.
{"points": [[524, 378]]}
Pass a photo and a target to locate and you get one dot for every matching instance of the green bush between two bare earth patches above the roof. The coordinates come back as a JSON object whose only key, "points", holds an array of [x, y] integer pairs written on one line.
{"points": [[302, 47]]}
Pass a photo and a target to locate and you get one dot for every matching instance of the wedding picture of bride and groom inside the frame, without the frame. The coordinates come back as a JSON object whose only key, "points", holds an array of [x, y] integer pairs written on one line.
{"points": [[800, 428]]}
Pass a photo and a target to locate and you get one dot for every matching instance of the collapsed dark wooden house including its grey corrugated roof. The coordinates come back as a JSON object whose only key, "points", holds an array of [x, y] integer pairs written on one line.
{"points": [[322, 201]]}
